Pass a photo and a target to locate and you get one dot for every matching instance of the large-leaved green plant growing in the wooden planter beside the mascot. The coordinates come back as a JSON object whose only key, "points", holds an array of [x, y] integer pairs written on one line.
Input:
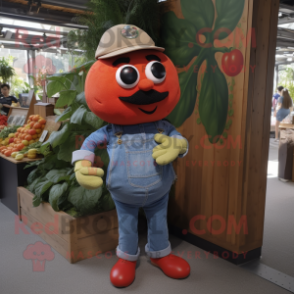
{"points": [[53, 180]]}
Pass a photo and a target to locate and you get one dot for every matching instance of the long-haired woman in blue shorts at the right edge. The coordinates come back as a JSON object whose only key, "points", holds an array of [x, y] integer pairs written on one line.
{"points": [[283, 109]]}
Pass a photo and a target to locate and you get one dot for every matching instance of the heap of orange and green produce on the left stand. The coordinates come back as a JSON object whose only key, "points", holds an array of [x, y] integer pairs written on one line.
{"points": [[17, 141]]}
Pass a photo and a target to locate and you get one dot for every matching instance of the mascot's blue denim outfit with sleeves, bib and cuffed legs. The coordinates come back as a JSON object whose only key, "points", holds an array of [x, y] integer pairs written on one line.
{"points": [[134, 180]]}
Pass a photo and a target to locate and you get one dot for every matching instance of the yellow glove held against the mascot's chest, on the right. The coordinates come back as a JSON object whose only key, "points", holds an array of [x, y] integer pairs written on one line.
{"points": [[169, 149]]}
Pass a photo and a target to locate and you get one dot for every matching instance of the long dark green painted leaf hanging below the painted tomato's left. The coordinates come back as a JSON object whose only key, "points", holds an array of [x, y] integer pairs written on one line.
{"points": [[213, 101]]}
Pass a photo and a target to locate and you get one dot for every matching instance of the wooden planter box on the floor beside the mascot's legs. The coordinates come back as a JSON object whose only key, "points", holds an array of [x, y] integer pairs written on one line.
{"points": [[74, 238]]}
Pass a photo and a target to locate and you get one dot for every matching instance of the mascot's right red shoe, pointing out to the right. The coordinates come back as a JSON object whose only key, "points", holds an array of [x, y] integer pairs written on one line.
{"points": [[173, 266]]}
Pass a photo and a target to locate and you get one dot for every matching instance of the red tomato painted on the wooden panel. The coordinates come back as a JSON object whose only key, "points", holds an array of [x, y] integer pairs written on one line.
{"points": [[232, 63]]}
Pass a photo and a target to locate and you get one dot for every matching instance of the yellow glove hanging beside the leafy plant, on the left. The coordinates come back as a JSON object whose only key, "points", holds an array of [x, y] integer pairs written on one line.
{"points": [[88, 177]]}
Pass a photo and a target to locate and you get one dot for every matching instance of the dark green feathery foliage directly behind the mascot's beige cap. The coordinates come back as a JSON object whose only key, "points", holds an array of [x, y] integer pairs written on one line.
{"points": [[103, 14]]}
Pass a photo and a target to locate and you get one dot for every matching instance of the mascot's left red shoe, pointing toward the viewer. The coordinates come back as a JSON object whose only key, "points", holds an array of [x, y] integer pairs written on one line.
{"points": [[123, 273]]}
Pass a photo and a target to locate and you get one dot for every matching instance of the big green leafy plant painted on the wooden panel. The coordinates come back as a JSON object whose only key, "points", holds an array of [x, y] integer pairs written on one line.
{"points": [[179, 38]]}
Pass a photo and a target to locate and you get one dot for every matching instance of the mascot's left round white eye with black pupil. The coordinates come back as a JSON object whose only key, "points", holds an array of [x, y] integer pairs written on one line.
{"points": [[127, 76]]}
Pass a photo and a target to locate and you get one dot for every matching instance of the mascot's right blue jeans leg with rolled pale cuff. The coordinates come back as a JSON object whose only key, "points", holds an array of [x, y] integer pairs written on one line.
{"points": [[158, 238]]}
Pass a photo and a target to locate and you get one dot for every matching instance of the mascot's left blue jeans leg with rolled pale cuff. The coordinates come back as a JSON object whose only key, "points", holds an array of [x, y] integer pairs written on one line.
{"points": [[128, 231]]}
